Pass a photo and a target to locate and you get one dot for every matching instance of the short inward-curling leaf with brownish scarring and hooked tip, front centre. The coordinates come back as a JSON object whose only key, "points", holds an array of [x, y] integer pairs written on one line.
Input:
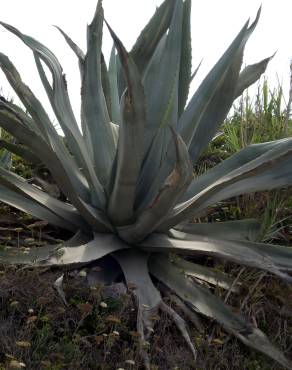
{"points": [[149, 218]]}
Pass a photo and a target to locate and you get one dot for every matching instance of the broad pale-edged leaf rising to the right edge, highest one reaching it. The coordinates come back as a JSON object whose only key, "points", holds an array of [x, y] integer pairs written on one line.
{"points": [[266, 172]]}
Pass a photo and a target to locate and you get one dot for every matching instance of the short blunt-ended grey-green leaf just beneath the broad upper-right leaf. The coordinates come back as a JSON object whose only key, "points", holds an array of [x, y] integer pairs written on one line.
{"points": [[248, 229]]}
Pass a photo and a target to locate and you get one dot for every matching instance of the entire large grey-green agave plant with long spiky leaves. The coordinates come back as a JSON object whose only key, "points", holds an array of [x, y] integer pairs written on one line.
{"points": [[127, 173]]}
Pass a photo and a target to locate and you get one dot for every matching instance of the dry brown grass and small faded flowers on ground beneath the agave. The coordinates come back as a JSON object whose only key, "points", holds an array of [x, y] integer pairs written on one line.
{"points": [[82, 335]]}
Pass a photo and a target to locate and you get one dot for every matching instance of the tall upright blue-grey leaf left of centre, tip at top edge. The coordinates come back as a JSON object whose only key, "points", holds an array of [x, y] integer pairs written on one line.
{"points": [[99, 133]]}
